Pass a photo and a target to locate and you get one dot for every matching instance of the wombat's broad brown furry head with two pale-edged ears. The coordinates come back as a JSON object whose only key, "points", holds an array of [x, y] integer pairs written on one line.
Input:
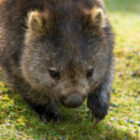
{"points": [[66, 53]]}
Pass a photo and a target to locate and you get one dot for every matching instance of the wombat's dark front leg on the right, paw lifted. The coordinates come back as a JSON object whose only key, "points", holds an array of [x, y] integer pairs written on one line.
{"points": [[98, 100]]}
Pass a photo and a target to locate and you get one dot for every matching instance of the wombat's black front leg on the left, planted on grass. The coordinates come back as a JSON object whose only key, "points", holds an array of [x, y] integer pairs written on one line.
{"points": [[45, 112]]}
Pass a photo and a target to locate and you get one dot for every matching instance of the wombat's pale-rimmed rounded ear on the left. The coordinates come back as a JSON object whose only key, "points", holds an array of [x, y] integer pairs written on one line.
{"points": [[35, 21]]}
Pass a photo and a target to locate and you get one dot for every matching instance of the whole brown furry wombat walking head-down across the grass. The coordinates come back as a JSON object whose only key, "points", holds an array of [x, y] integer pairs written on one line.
{"points": [[57, 52]]}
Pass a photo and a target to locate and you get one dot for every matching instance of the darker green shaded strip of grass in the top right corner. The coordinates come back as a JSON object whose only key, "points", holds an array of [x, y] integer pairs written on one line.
{"points": [[125, 6]]}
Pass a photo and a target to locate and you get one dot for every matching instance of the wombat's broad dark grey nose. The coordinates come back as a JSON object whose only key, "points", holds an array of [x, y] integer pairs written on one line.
{"points": [[73, 101]]}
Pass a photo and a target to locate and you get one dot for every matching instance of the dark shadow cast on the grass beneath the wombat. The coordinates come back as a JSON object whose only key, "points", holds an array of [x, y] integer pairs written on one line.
{"points": [[75, 125]]}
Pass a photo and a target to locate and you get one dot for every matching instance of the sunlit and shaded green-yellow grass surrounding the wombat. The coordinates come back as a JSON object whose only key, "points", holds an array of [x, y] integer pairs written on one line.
{"points": [[123, 119]]}
